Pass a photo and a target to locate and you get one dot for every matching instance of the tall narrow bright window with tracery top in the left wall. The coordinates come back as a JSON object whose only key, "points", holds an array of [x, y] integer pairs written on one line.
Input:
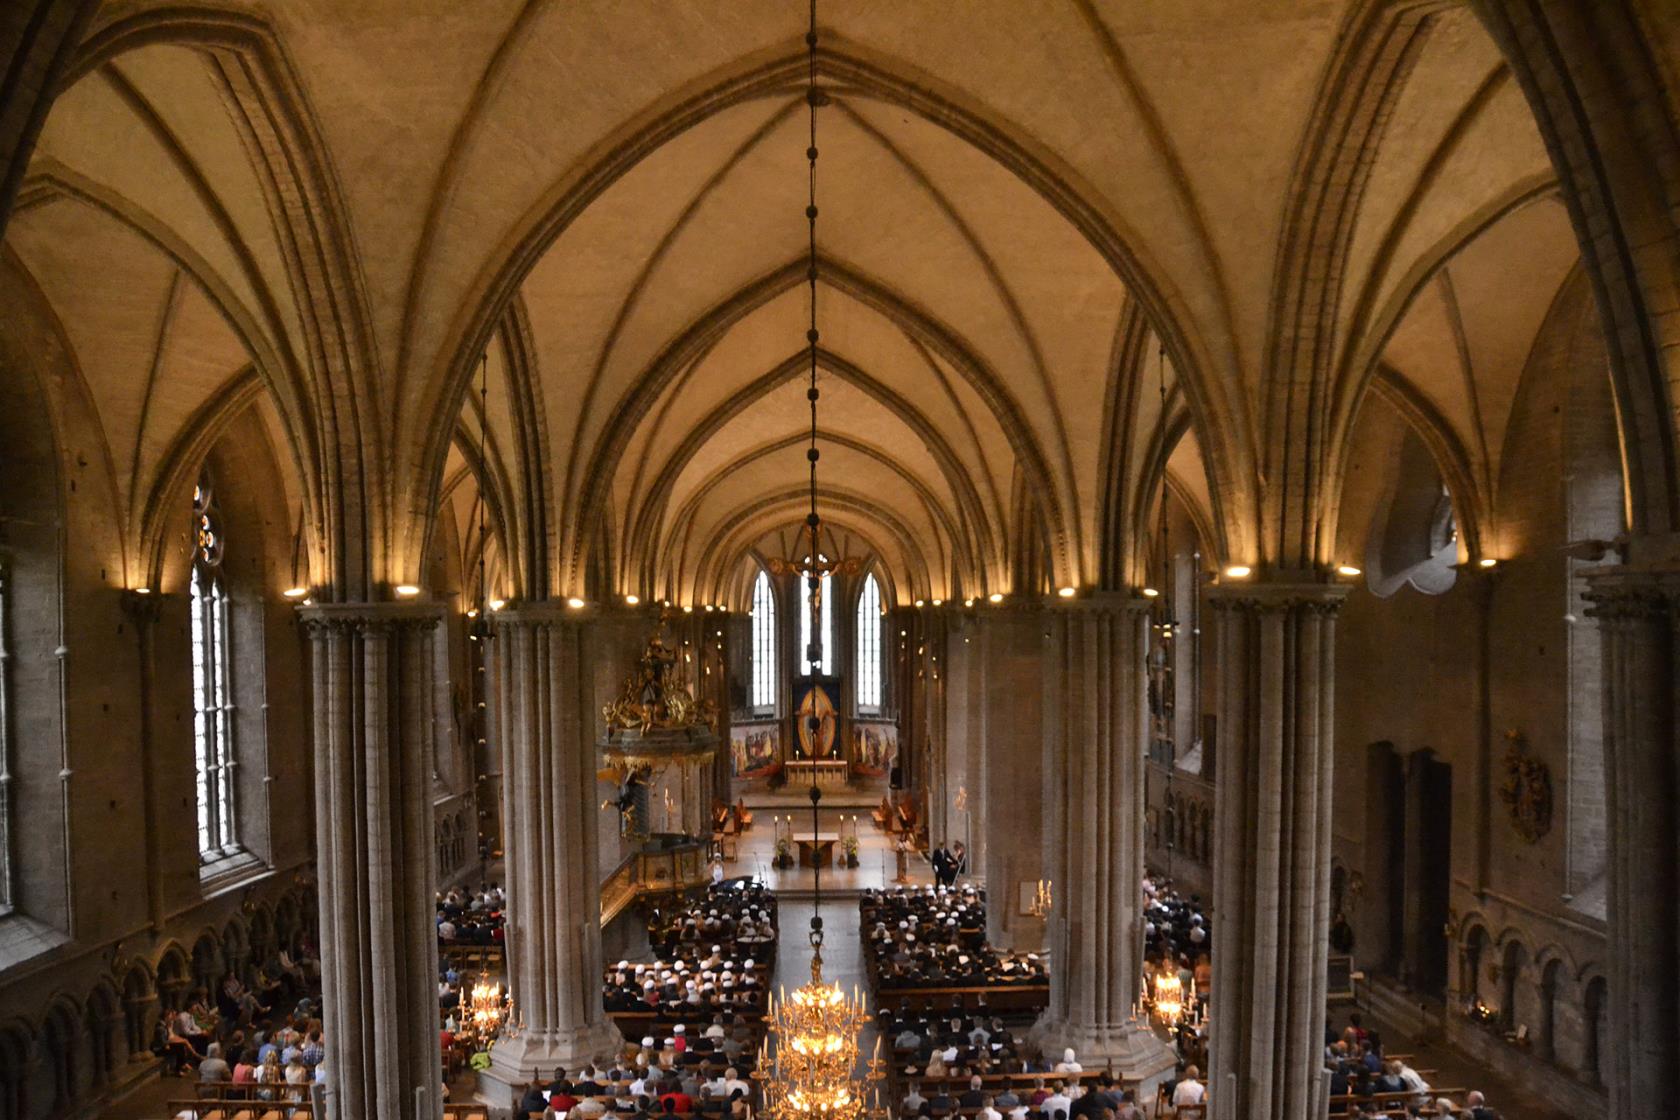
{"points": [[213, 696]]}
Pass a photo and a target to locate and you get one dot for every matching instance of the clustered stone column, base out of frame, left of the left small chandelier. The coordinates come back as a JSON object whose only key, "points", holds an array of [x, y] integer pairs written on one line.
{"points": [[374, 679]]}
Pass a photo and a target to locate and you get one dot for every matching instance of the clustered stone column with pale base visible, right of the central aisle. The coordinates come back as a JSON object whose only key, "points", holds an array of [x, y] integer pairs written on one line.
{"points": [[1096, 723]]}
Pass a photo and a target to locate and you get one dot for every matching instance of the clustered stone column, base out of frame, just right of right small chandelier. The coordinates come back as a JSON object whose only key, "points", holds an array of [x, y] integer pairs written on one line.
{"points": [[1273, 852]]}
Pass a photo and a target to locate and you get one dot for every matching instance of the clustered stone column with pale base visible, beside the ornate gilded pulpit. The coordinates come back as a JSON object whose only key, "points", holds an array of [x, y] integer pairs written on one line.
{"points": [[552, 830]]}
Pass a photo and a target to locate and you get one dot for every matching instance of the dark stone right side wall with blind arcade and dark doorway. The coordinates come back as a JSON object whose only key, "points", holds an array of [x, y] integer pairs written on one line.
{"points": [[1464, 684]]}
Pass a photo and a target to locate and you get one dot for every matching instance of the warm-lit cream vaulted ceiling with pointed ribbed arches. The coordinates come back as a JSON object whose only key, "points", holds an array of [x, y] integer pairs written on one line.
{"points": [[604, 206]]}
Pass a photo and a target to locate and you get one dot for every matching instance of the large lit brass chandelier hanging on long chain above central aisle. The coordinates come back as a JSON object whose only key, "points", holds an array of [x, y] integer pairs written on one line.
{"points": [[811, 1054]]}
